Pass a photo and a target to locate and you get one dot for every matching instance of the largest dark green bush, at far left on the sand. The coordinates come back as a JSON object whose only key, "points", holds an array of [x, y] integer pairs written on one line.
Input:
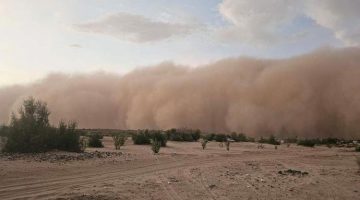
{"points": [[30, 131]]}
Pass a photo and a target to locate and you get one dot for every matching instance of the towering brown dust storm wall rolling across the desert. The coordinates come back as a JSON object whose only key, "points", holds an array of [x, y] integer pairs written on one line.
{"points": [[313, 95]]}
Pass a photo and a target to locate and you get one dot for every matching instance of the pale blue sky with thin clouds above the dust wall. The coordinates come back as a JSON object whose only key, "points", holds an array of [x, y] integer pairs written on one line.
{"points": [[39, 37]]}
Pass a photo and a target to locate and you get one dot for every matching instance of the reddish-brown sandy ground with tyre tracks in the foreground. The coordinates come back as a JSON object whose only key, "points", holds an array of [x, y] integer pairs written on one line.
{"points": [[185, 171]]}
